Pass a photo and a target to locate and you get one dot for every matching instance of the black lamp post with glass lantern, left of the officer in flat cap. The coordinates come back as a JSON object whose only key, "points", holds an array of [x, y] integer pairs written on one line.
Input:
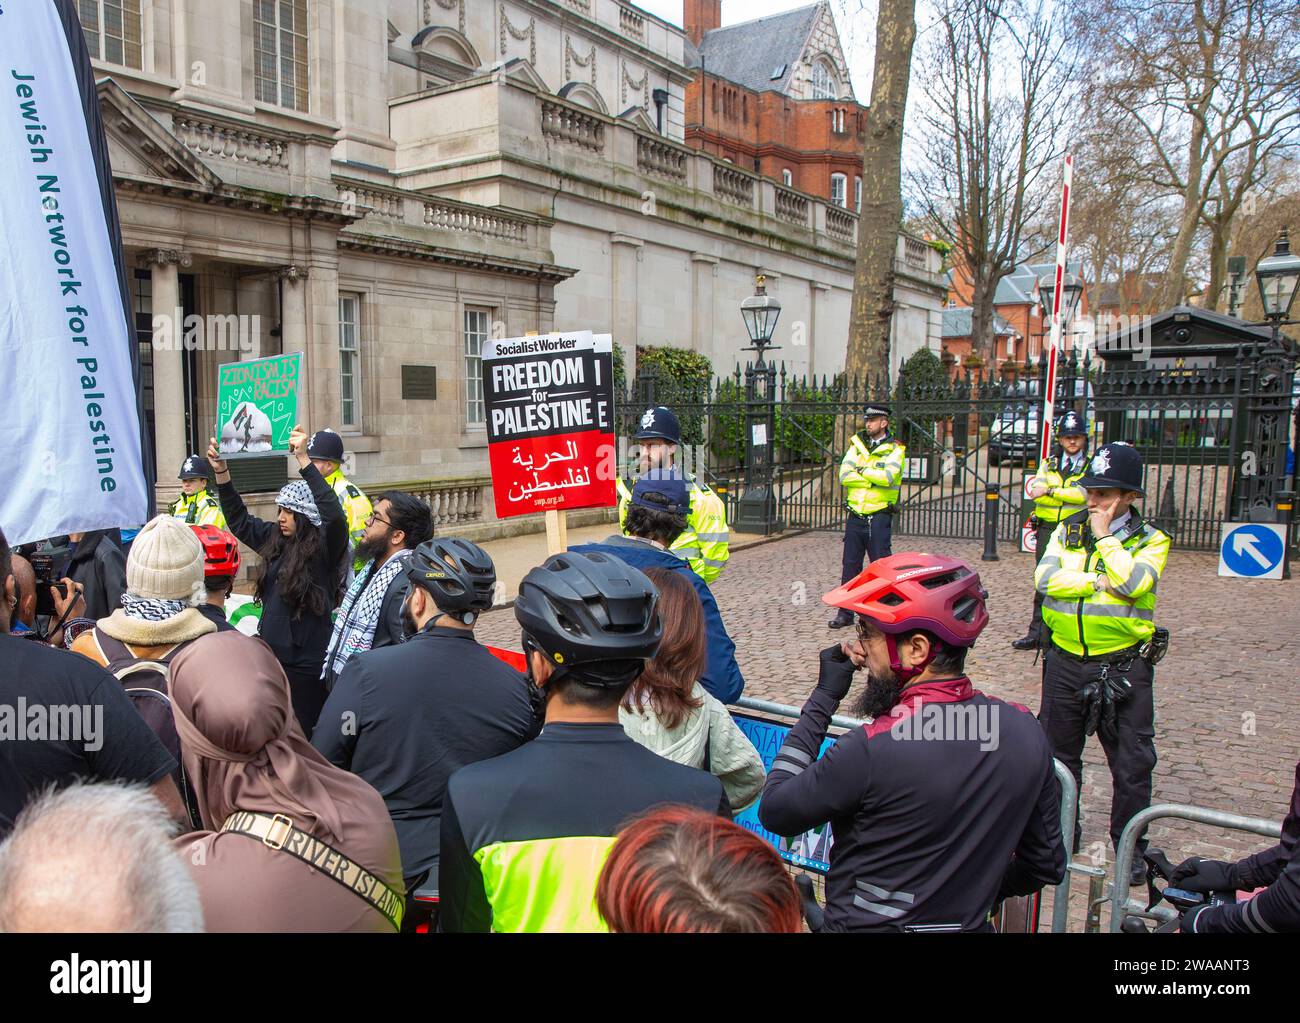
{"points": [[757, 509]]}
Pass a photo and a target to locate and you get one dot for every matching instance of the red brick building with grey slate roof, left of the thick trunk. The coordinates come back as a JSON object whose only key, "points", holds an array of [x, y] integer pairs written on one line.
{"points": [[773, 96]]}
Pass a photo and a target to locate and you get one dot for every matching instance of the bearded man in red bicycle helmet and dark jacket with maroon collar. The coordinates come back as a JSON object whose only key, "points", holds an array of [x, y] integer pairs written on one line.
{"points": [[946, 803]]}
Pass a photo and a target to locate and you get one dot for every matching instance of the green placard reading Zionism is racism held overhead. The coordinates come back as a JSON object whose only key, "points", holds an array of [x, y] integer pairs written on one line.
{"points": [[258, 405]]}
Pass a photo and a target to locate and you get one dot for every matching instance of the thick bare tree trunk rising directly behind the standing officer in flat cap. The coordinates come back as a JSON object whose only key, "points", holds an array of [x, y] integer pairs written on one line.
{"points": [[872, 311]]}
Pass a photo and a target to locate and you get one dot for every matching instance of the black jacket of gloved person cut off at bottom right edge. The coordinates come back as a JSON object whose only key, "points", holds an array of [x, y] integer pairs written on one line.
{"points": [[1279, 907]]}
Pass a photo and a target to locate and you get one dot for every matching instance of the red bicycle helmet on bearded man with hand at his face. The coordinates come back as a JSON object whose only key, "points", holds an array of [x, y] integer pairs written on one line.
{"points": [[909, 592]]}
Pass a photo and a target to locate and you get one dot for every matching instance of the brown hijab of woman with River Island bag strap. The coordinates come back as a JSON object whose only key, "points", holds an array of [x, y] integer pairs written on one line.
{"points": [[244, 749]]}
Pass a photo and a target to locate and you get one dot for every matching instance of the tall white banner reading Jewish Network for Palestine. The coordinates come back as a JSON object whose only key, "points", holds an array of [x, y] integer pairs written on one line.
{"points": [[70, 430]]}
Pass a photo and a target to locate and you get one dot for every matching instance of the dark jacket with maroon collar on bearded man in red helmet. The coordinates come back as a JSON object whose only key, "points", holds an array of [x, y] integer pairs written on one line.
{"points": [[929, 833]]}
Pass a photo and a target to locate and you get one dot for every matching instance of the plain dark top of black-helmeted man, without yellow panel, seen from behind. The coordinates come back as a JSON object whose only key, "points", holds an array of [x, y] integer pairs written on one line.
{"points": [[417, 713]]}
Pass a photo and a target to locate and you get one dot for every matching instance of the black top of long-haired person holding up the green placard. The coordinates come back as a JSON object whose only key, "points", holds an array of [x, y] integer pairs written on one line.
{"points": [[298, 643]]}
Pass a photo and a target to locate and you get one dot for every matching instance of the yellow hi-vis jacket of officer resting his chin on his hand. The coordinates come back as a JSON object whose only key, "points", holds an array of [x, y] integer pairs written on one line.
{"points": [[1091, 622]]}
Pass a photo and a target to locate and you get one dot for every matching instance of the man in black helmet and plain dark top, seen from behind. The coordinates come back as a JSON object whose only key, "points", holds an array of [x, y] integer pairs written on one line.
{"points": [[405, 718]]}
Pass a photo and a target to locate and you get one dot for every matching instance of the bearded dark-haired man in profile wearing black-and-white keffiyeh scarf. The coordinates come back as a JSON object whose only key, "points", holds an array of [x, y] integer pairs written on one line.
{"points": [[371, 614]]}
